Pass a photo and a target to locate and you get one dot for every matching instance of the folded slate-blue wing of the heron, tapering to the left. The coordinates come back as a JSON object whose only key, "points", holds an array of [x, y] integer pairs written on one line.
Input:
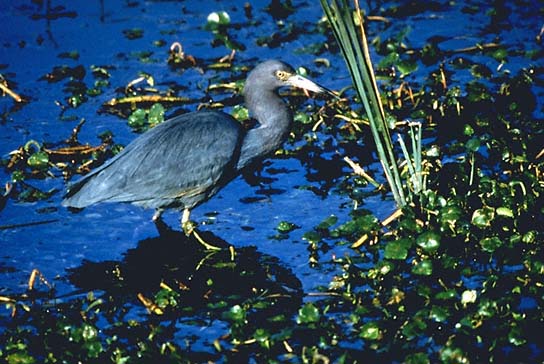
{"points": [[180, 158]]}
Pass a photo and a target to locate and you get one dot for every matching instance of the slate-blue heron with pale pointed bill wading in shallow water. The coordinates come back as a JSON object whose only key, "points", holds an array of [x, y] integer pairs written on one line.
{"points": [[183, 161]]}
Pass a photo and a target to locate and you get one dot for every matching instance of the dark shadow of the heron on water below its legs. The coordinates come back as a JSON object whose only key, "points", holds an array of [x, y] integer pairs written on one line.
{"points": [[202, 281]]}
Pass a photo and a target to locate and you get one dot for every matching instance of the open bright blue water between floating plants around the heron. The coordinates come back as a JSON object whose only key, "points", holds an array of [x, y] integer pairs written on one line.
{"points": [[45, 236]]}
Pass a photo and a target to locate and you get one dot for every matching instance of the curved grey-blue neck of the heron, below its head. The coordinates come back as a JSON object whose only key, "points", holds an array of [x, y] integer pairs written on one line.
{"points": [[274, 119]]}
